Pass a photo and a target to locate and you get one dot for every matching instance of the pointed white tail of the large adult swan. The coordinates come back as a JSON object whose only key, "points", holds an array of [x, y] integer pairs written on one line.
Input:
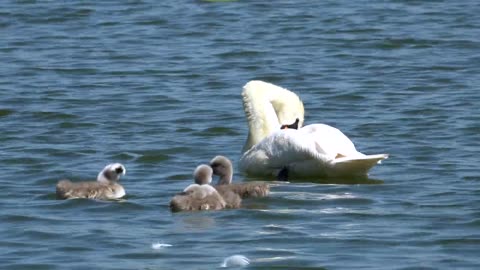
{"points": [[359, 165]]}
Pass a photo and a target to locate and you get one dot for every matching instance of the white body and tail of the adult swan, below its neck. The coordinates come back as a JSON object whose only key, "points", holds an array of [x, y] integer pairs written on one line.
{"points": [[314, 150]]}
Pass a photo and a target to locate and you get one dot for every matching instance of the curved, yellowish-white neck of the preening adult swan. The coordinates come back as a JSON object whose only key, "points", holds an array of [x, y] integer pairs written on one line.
{"points": [[267, 107]]}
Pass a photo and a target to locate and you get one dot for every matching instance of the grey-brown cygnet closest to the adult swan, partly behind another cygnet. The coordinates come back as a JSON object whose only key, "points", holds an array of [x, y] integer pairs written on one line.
{"points": [[223, 167]]}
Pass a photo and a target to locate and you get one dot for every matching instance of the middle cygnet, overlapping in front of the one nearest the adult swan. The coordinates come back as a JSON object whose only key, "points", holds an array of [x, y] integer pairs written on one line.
{"points": [[200, 195]]}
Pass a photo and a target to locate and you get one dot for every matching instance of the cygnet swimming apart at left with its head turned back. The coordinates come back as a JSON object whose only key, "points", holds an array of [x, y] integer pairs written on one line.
{"points": [[105, 188]]}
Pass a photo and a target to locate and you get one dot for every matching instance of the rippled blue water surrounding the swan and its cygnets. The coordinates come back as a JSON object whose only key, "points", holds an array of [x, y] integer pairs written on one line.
{"points": [[156, 85]]}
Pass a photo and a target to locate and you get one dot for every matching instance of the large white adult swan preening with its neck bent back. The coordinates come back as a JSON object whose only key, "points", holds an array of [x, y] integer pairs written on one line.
{"points": [[316, 150]]}
